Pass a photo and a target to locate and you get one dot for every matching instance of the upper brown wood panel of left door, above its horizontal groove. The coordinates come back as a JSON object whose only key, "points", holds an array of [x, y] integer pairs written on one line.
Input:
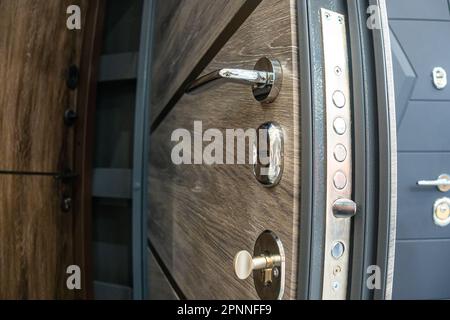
{"points": [[36, 49]]}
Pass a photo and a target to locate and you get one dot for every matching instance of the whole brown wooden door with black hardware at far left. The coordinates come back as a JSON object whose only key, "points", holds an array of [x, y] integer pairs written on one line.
{"points": [[42, 90]]}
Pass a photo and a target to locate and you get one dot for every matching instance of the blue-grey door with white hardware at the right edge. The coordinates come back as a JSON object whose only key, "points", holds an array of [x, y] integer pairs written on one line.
{"points": [[420, 31]]}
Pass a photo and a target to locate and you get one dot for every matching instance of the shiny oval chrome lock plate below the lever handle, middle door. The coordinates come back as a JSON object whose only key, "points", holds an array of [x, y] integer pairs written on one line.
{"points": [[268, 154]]}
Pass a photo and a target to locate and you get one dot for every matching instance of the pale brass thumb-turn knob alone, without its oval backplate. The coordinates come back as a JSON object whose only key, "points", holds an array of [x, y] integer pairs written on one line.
{"points": [[245, 263]]}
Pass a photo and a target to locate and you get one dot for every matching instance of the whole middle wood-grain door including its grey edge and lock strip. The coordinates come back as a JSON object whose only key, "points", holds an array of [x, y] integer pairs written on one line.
{"points": [[313, 78]]}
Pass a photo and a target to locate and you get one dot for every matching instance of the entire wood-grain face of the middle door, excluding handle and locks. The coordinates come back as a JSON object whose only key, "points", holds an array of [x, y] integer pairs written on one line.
{"points": [[201, 216]]}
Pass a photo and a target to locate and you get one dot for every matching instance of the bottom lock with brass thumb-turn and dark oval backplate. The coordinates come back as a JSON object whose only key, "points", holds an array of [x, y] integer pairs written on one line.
{"points": [[266, 264]]}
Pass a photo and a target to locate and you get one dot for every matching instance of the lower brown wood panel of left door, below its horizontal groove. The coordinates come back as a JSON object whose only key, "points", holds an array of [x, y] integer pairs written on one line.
{"points": [[35, 239]]}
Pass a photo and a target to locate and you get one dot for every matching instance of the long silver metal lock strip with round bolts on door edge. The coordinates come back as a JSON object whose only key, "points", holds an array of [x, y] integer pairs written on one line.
{"points": [[338, 173]]}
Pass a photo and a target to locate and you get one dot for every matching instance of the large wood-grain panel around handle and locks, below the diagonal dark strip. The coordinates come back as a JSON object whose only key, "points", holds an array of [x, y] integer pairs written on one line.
{"points": [[201, 216]]}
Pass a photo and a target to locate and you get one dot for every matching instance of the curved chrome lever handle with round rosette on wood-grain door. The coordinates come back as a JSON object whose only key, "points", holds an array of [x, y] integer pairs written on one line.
{"points": [[265, 79]]}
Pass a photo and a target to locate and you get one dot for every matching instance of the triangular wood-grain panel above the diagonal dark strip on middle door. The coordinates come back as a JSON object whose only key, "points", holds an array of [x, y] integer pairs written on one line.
{"points": [[184, 31]]}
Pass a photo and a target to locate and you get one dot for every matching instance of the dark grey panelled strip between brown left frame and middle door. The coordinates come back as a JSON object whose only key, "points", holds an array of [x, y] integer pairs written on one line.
{"points": [[113, 225]]}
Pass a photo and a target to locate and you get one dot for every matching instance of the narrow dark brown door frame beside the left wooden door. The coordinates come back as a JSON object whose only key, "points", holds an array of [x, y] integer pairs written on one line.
{"points": [[84, 137]]}
